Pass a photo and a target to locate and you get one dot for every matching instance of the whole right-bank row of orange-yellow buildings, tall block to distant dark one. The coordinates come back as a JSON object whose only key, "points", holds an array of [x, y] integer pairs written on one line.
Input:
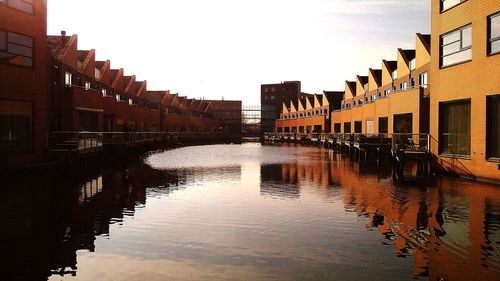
{"points": [[448, 86]]}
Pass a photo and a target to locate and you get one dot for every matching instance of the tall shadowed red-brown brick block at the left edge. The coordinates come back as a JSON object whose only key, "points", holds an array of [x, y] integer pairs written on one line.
{"points": [[24, 80]]}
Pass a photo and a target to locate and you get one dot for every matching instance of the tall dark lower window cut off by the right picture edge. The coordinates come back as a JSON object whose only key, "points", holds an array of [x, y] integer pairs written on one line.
{"points": [[493, 127]]}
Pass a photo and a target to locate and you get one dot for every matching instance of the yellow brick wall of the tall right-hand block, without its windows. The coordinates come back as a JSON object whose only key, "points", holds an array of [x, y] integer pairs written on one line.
{"points": [[472, 80]]}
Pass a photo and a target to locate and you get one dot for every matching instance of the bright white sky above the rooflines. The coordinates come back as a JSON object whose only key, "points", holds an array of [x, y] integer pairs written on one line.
{"points": [[217, 49]]}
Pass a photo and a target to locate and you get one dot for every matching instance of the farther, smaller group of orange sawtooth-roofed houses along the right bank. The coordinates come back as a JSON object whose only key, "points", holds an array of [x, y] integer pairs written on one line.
{"points": [[308, 114]]}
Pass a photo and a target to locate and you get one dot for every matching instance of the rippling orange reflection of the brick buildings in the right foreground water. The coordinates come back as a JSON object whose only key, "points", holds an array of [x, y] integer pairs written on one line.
{"points": [[443, 228]]}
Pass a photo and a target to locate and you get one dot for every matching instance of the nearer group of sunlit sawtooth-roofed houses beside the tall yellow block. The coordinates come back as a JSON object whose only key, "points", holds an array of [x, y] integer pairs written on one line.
{"points": [[393, 99]]}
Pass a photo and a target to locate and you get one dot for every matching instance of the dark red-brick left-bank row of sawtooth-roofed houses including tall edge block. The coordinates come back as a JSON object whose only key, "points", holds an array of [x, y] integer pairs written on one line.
{"points": [[48, 85]]}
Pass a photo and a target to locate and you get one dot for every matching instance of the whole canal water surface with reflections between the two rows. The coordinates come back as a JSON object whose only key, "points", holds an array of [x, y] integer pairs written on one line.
{"points": [[247, 212]]}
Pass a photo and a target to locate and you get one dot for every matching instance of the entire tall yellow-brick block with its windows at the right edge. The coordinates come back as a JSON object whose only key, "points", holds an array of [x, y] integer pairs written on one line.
{"points": [[465, 79]]}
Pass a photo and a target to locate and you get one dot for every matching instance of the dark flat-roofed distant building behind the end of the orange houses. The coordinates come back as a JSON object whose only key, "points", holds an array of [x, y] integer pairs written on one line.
{"points": [[272, 97]]}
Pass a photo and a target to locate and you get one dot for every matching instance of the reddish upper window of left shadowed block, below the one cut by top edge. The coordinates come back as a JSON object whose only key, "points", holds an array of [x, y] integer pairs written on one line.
{"points": [[16, 49]]}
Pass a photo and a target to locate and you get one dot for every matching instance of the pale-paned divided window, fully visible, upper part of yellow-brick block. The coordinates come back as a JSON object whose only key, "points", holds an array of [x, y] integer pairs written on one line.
{"points": [[456, 46]]}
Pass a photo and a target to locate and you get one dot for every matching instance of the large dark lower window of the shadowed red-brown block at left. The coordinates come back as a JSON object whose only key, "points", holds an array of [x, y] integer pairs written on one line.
{"points": [[16, 126]]}
